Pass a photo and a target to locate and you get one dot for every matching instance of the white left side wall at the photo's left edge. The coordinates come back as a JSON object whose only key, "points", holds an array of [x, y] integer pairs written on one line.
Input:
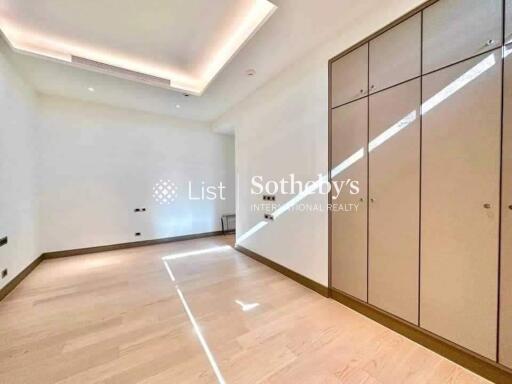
{"points": [[18, 177]]}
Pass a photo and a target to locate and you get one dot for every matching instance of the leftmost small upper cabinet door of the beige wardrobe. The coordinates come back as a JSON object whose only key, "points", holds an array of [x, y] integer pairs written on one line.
{"points": [[350, 76]]}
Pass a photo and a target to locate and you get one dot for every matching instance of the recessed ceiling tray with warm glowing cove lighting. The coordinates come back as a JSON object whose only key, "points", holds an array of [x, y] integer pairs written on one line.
{"points": [[177, 44]]}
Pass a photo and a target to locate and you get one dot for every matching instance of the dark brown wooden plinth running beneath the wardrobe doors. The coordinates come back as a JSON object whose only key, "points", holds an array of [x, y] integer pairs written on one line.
{"points": [[469, 360]]}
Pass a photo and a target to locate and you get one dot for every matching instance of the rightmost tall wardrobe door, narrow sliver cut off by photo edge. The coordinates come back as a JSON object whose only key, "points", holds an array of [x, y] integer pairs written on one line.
{"points": [[506, 223]]}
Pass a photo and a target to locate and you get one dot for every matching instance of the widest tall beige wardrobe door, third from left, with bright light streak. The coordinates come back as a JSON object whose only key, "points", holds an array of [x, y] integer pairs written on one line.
{"points": [[460, 198]]}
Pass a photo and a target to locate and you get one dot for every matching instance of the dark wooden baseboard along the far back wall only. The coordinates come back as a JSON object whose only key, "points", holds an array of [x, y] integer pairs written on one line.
{"points": [[114, 247]]}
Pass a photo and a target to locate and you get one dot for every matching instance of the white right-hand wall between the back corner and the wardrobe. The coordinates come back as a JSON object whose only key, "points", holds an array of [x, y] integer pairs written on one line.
{"points": [[282, 128]]}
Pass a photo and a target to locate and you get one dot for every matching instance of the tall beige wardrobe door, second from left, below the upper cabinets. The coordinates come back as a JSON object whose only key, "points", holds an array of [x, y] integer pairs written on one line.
{"points": [[394, 189]]}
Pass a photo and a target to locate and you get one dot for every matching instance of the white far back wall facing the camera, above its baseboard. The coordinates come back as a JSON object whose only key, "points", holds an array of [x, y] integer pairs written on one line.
{"points": [[98, 163]]}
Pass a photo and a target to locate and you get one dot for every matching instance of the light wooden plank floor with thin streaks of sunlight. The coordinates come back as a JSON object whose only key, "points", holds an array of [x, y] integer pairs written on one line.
{"points": [[118, 317]]}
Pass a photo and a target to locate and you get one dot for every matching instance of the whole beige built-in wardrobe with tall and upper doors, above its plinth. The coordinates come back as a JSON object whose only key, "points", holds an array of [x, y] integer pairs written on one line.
{"points": [[421, 117]]}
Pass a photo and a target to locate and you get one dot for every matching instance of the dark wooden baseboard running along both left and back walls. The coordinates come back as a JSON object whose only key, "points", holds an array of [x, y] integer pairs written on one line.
{"points": [[9, 287]]}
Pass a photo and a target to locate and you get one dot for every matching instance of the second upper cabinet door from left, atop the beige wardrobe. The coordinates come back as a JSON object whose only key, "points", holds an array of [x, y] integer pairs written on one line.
{"points": [[395, 56]]}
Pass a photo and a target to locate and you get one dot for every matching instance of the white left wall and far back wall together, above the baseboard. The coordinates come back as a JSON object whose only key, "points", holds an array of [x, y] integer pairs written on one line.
{"points": [[71, 173]]}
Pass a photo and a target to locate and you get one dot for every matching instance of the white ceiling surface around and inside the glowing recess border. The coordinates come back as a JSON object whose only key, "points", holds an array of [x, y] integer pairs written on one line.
{"points": [[296, 27]]}
